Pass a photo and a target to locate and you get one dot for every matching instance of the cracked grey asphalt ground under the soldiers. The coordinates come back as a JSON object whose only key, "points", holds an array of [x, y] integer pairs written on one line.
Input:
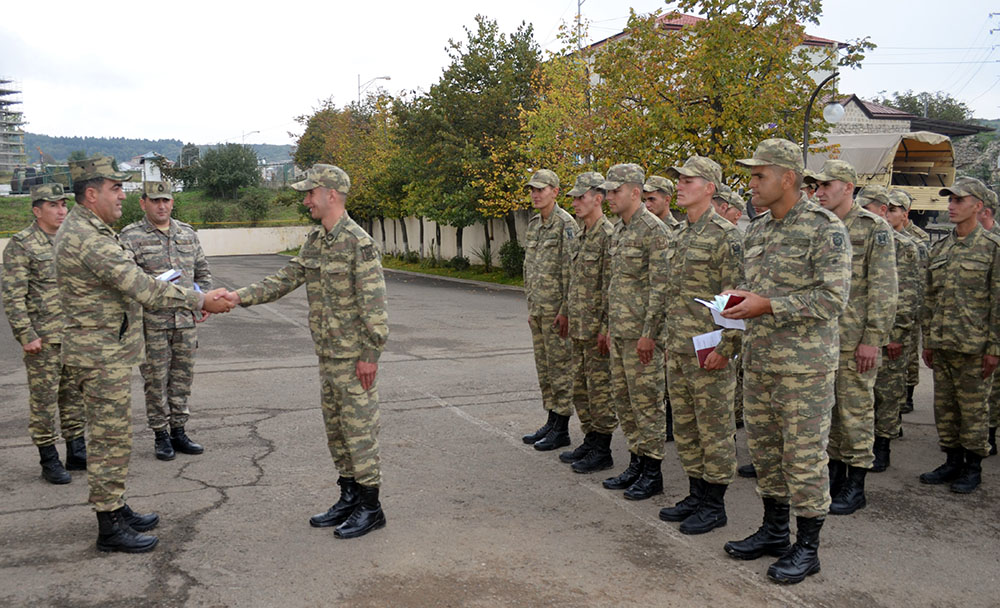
{"points": [[475, 517]]}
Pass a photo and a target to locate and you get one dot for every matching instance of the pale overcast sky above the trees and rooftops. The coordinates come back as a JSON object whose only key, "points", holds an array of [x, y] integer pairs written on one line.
{"points": [[212, 71]]}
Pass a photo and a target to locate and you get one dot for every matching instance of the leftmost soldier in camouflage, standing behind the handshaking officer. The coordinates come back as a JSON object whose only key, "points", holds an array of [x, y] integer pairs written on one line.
{"points": [[31, 299]]}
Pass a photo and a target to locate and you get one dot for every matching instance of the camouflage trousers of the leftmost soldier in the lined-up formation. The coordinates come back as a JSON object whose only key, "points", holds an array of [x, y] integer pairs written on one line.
{"points": [[554, 364]]}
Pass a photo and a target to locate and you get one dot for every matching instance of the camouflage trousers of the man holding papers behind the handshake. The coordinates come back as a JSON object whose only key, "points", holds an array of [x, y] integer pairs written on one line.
{"points": [[167, 374]]}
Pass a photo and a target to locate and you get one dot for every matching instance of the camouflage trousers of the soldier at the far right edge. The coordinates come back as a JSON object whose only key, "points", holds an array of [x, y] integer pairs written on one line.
{"points": [[960, 410]]}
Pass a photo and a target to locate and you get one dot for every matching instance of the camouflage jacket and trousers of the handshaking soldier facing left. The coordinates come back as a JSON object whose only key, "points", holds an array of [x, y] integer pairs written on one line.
{"points": [[345, 287]]}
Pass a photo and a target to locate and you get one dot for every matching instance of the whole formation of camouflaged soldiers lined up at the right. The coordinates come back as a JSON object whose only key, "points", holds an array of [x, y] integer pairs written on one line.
{"points": [[833, 294]]}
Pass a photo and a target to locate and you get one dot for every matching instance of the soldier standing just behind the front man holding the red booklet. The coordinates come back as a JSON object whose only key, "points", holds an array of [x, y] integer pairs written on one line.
{"points": [[864, 330]]}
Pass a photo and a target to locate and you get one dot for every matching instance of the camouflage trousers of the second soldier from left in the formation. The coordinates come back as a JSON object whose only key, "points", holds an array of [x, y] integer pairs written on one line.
{"points": [[592, 388]]}
